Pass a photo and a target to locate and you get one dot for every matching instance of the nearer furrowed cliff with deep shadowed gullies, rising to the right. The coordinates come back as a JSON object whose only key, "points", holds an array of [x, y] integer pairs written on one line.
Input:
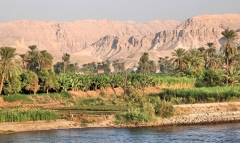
{"points": [[193, 33]]}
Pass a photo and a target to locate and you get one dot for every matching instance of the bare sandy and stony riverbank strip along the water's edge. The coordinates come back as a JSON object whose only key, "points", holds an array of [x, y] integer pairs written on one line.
{"points": [[187, 114]]}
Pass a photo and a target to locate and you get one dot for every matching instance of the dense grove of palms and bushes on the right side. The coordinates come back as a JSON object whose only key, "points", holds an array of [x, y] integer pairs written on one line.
{"points": [[206, 63]]}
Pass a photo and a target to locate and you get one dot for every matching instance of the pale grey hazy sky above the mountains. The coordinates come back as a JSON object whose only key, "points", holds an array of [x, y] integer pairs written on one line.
{"points": [[134, 10]]}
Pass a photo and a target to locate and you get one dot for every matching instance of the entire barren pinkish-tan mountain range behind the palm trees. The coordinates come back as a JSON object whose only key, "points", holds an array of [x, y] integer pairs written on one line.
{"points": [[97, 40]]}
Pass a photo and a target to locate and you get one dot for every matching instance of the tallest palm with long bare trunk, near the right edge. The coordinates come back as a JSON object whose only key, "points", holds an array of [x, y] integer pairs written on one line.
{"points": [[229, 50]]}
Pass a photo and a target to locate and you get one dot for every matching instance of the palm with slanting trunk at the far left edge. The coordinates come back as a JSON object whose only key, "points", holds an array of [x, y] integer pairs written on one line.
{"points": [[7, 55]]}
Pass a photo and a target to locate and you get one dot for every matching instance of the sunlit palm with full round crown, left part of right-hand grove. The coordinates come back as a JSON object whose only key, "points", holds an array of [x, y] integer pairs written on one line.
{"points": [[179, 58]]}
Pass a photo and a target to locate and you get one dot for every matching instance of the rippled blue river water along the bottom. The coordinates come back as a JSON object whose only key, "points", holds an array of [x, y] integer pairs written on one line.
{"points": [[199, 133]]}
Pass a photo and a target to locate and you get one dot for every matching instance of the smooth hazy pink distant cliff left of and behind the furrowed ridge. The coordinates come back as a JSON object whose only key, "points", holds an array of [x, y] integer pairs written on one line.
{"points": [[74, 36]]}
